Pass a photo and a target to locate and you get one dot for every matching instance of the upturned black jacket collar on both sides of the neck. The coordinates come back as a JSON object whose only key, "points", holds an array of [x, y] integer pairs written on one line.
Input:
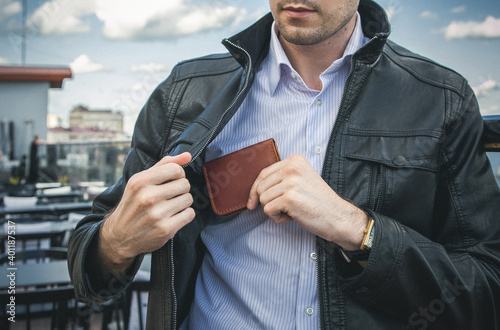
{"points": [[250, 50]]}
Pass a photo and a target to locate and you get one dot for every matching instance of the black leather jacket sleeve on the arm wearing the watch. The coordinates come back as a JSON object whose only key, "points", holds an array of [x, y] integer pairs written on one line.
{"points": [[453, 280]]}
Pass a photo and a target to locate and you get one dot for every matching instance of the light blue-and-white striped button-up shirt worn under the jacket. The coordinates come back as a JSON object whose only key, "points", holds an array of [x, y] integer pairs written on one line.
{"points": [[257, 274]]}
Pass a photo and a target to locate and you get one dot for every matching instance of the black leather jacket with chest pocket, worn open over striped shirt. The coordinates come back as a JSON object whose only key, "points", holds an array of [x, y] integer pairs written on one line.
{"points": [[405, 147]]}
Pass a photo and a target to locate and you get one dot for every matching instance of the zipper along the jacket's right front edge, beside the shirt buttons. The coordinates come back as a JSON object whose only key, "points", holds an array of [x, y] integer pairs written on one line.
{"points": [[342, 116]]}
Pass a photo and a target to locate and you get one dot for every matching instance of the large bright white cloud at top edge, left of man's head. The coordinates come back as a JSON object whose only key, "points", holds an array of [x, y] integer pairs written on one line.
{"points": [[152, 19]]}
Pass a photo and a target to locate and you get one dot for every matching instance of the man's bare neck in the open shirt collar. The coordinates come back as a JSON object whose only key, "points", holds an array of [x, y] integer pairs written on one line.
{"points": [[311, 60]]}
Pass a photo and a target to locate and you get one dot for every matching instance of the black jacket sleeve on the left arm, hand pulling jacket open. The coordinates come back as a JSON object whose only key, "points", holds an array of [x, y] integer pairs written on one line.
{"points": [[148, 142]]}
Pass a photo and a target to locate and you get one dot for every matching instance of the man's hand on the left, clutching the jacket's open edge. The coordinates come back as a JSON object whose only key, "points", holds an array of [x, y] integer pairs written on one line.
{"points": [[155, 205]]}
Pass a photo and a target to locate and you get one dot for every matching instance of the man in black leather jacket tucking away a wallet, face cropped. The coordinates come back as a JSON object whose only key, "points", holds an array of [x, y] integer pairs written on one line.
{"points": [[382, 214]]}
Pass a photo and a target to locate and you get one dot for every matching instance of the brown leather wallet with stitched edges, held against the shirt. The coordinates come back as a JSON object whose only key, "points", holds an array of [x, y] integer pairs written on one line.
{"points": [[230, 178]]}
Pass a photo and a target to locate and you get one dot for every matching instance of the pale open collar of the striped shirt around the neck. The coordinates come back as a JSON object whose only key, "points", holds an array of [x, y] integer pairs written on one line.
{"points": [[279, 63]]}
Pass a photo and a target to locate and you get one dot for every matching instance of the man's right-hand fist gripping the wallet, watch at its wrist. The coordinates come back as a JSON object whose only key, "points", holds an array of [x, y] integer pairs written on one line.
{"points": [[292, 190]]}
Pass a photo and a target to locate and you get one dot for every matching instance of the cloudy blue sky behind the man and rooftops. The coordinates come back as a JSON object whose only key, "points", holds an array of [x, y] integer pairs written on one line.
{"points": [[120, 50]]}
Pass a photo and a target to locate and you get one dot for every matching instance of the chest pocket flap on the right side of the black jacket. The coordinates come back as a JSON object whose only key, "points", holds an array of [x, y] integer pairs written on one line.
{"points": [[395, 150]]}
